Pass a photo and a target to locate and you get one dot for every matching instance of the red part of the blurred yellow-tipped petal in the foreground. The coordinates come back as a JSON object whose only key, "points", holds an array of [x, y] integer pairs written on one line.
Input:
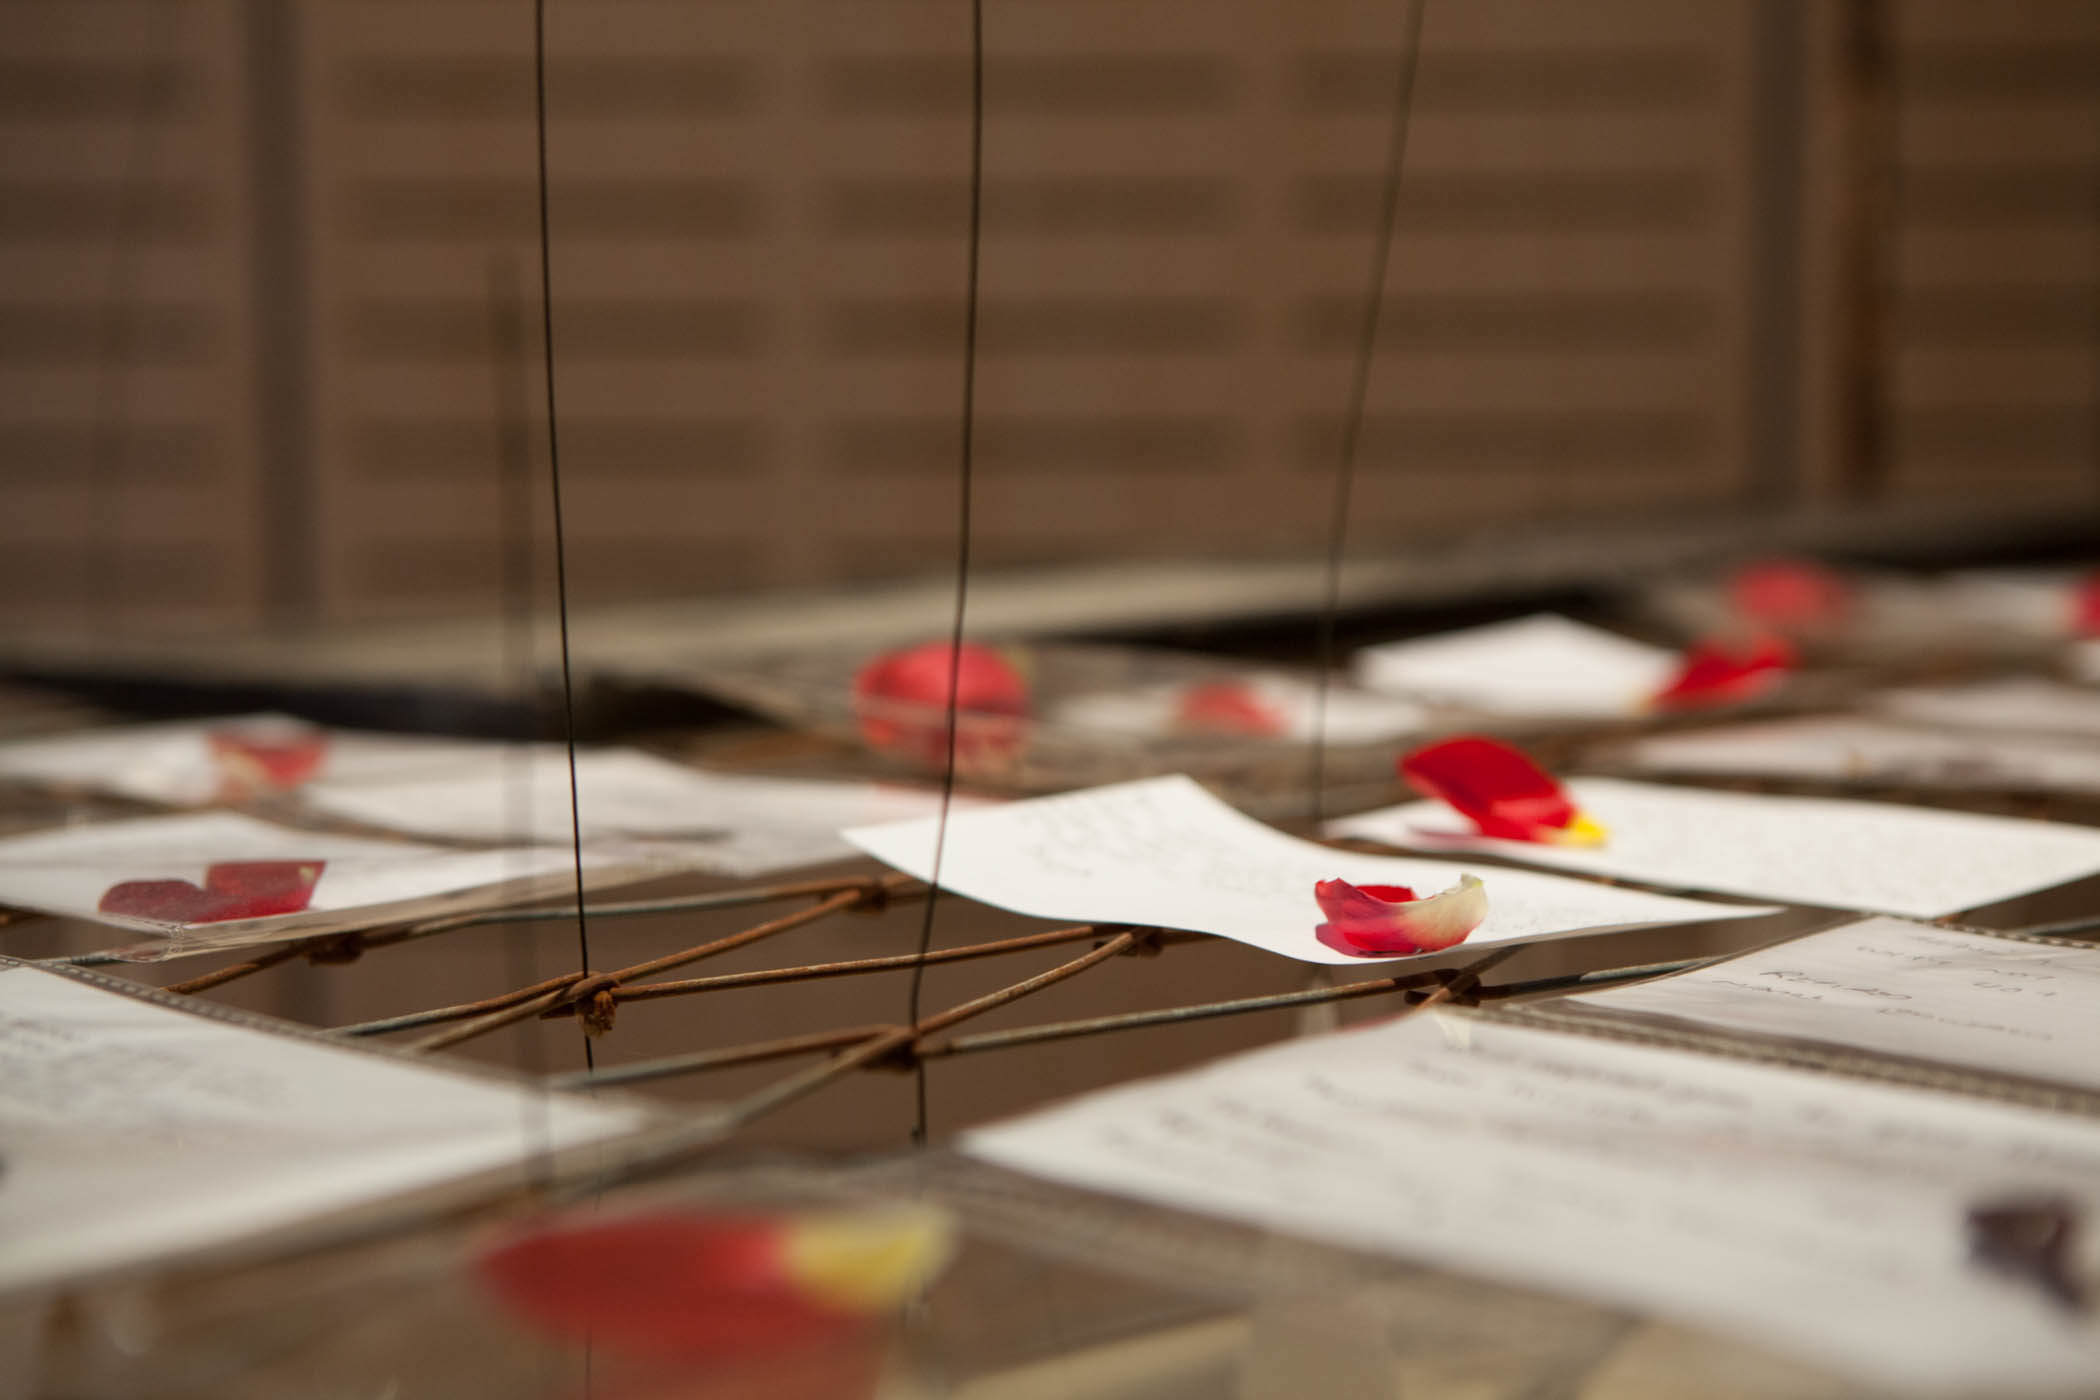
{"points": [[665, 1286]]}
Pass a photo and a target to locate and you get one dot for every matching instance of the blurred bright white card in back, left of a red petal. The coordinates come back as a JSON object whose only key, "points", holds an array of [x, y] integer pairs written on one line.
{"points": [[1532, 666]]}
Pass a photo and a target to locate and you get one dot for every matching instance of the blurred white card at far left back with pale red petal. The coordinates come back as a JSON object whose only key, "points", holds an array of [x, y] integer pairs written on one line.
{"points": [[209, 761]]}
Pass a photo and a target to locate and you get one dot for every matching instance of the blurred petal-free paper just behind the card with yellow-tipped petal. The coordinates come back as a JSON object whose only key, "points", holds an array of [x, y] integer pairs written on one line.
{"points": [[1847, 750]]}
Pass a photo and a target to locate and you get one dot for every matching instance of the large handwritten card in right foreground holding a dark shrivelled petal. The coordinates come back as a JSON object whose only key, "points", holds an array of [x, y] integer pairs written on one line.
{"points": [[1797, 1210]]}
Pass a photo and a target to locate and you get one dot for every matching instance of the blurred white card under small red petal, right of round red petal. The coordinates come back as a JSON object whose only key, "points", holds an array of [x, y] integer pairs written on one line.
{"points": [[1286, 702]]}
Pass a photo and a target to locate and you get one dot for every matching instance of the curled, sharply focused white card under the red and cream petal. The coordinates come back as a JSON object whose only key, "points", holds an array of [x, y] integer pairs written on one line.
{"points": [[1167, 853]]}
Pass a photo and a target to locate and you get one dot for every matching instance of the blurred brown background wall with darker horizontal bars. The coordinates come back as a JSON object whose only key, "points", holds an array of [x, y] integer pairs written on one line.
{"points": [[1656, 259]]}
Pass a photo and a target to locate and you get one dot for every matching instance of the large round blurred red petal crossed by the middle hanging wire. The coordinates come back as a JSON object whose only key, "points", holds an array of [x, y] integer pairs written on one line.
{"points": [[902, 704]]}
